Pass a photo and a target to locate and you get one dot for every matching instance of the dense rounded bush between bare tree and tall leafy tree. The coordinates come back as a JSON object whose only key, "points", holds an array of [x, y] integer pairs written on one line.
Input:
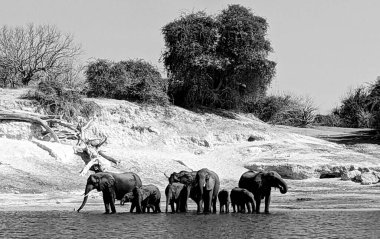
{"points": [[134, 80]]}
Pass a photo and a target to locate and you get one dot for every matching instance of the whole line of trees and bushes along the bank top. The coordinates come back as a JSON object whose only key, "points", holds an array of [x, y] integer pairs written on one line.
{"points": [[211, 61]]}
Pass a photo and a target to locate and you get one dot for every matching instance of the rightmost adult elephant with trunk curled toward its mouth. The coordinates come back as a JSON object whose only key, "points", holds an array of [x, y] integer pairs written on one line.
{"points": [[260, 184]]}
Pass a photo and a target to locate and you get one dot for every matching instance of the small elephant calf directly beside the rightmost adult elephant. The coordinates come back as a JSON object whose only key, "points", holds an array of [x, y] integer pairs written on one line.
{"points": [[241, 197]]}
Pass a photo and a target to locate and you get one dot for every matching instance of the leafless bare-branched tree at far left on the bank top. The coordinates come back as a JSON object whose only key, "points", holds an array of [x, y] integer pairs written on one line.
{"points": [[27, 52]]}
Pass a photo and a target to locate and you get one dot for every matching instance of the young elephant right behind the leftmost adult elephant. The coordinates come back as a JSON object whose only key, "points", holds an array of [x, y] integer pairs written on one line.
{"points": [[142, 198]]}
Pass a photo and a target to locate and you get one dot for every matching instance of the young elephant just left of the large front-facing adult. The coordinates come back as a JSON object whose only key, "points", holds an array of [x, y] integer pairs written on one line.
{"points": [[176, 193]]}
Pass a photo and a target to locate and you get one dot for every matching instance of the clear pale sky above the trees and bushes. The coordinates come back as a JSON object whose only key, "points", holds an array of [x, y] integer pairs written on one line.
{"points": [[323, 48]]}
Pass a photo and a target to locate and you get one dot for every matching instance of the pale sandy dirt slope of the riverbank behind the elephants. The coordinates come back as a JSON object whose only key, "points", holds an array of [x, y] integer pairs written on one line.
{"points": [[151, 140]]}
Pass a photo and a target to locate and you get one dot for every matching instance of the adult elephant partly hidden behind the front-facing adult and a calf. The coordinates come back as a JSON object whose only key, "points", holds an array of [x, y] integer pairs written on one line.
{"points": [[187, 178]]}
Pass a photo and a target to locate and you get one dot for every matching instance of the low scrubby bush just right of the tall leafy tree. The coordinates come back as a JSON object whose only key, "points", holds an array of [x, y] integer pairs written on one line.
{"points": [[284, 110]]}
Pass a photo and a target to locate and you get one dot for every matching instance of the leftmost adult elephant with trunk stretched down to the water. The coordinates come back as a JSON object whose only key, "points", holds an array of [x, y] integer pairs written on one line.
{"points": [[113, 185]]}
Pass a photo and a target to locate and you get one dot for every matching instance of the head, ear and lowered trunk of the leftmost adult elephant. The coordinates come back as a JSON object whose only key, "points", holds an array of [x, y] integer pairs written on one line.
{"points": [[100, 182]]}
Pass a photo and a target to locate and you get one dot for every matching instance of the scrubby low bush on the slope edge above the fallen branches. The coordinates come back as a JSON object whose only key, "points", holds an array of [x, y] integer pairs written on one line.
{"points": [[56, 99]]}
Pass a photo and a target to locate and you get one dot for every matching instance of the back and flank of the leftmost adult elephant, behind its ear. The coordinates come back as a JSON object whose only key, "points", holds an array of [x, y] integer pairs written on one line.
{"points": [[125, 183]]}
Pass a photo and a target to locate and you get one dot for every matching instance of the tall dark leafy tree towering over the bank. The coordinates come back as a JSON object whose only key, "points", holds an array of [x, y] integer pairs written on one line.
{"points": [[217, 61]]}
